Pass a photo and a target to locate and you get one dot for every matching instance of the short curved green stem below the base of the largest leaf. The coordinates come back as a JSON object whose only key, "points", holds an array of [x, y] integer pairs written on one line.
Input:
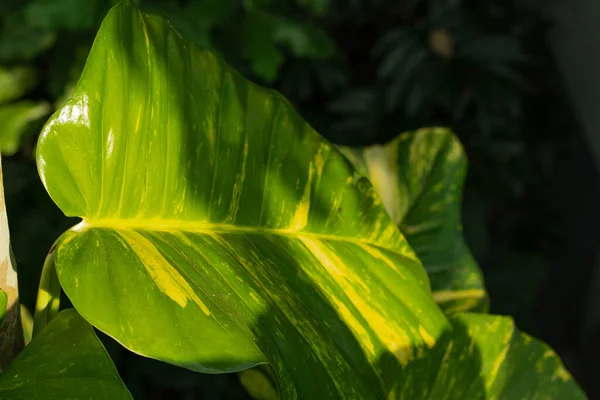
{"points": [[48, 300]]}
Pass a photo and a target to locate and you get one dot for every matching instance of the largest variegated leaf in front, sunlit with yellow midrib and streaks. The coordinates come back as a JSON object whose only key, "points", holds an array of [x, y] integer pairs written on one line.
{"points": [[219, 230]]}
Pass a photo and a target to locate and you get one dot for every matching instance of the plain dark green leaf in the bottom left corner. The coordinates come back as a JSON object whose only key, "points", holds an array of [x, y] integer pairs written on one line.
{"points": [[66, 361]]}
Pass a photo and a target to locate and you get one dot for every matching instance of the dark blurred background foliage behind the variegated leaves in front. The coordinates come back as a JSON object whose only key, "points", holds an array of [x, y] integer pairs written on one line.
{"points": [[361, 72]]}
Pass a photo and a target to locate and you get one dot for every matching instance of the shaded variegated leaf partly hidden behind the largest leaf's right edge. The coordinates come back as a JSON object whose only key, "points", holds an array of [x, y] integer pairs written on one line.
{"points": [[419, 176]]}
